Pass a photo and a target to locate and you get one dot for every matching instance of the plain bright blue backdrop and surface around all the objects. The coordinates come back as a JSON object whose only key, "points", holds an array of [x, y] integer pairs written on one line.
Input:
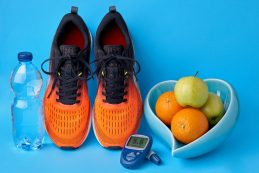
{"points": [[173, 38]]}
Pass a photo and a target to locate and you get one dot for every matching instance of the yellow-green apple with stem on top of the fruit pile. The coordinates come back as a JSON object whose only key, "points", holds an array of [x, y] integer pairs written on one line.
{"points": [[191, 91]]}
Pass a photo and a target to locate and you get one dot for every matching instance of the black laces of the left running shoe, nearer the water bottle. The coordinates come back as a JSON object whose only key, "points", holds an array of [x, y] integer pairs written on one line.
{"points": [[68, 83]]}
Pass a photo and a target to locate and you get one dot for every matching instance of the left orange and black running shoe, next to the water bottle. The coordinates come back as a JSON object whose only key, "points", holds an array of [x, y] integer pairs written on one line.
{"points": [[66, 102]]}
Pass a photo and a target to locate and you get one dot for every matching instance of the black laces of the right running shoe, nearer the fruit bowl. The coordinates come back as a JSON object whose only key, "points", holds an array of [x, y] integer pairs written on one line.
{"points": [[115, 84]]}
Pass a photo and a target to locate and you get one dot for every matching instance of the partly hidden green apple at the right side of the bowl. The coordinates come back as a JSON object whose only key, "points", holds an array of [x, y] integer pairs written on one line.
{"points": [[213, 109]]}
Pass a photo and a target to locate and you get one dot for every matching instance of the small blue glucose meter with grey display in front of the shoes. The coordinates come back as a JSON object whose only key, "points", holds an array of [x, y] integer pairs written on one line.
{"points": [[136, 150]]}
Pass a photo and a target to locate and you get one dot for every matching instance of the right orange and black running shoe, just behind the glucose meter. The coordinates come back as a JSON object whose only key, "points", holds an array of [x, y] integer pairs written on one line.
{"points": [[118, 104]]}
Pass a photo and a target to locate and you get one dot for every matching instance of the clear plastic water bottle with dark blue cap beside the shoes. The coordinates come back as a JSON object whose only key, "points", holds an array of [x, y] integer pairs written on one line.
{"points": [[27, 117]]}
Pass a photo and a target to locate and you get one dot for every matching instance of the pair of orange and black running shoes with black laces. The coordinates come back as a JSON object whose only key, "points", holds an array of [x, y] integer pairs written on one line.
{"points": [[117, 109]]}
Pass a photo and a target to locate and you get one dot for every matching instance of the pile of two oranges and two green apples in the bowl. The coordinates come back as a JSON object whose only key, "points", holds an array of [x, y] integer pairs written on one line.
{"points": [[203, 109]]}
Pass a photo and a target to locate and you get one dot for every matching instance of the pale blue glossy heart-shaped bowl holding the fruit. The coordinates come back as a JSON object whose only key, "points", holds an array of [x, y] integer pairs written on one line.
{"points": [[210, 140]]}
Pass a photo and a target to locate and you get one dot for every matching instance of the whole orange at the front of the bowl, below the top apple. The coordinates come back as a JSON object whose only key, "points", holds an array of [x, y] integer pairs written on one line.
{"points": [[189, 124]]}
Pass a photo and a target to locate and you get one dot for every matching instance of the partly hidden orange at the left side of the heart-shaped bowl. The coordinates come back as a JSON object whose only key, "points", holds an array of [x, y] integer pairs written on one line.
{"points": [[166, 107]]}
